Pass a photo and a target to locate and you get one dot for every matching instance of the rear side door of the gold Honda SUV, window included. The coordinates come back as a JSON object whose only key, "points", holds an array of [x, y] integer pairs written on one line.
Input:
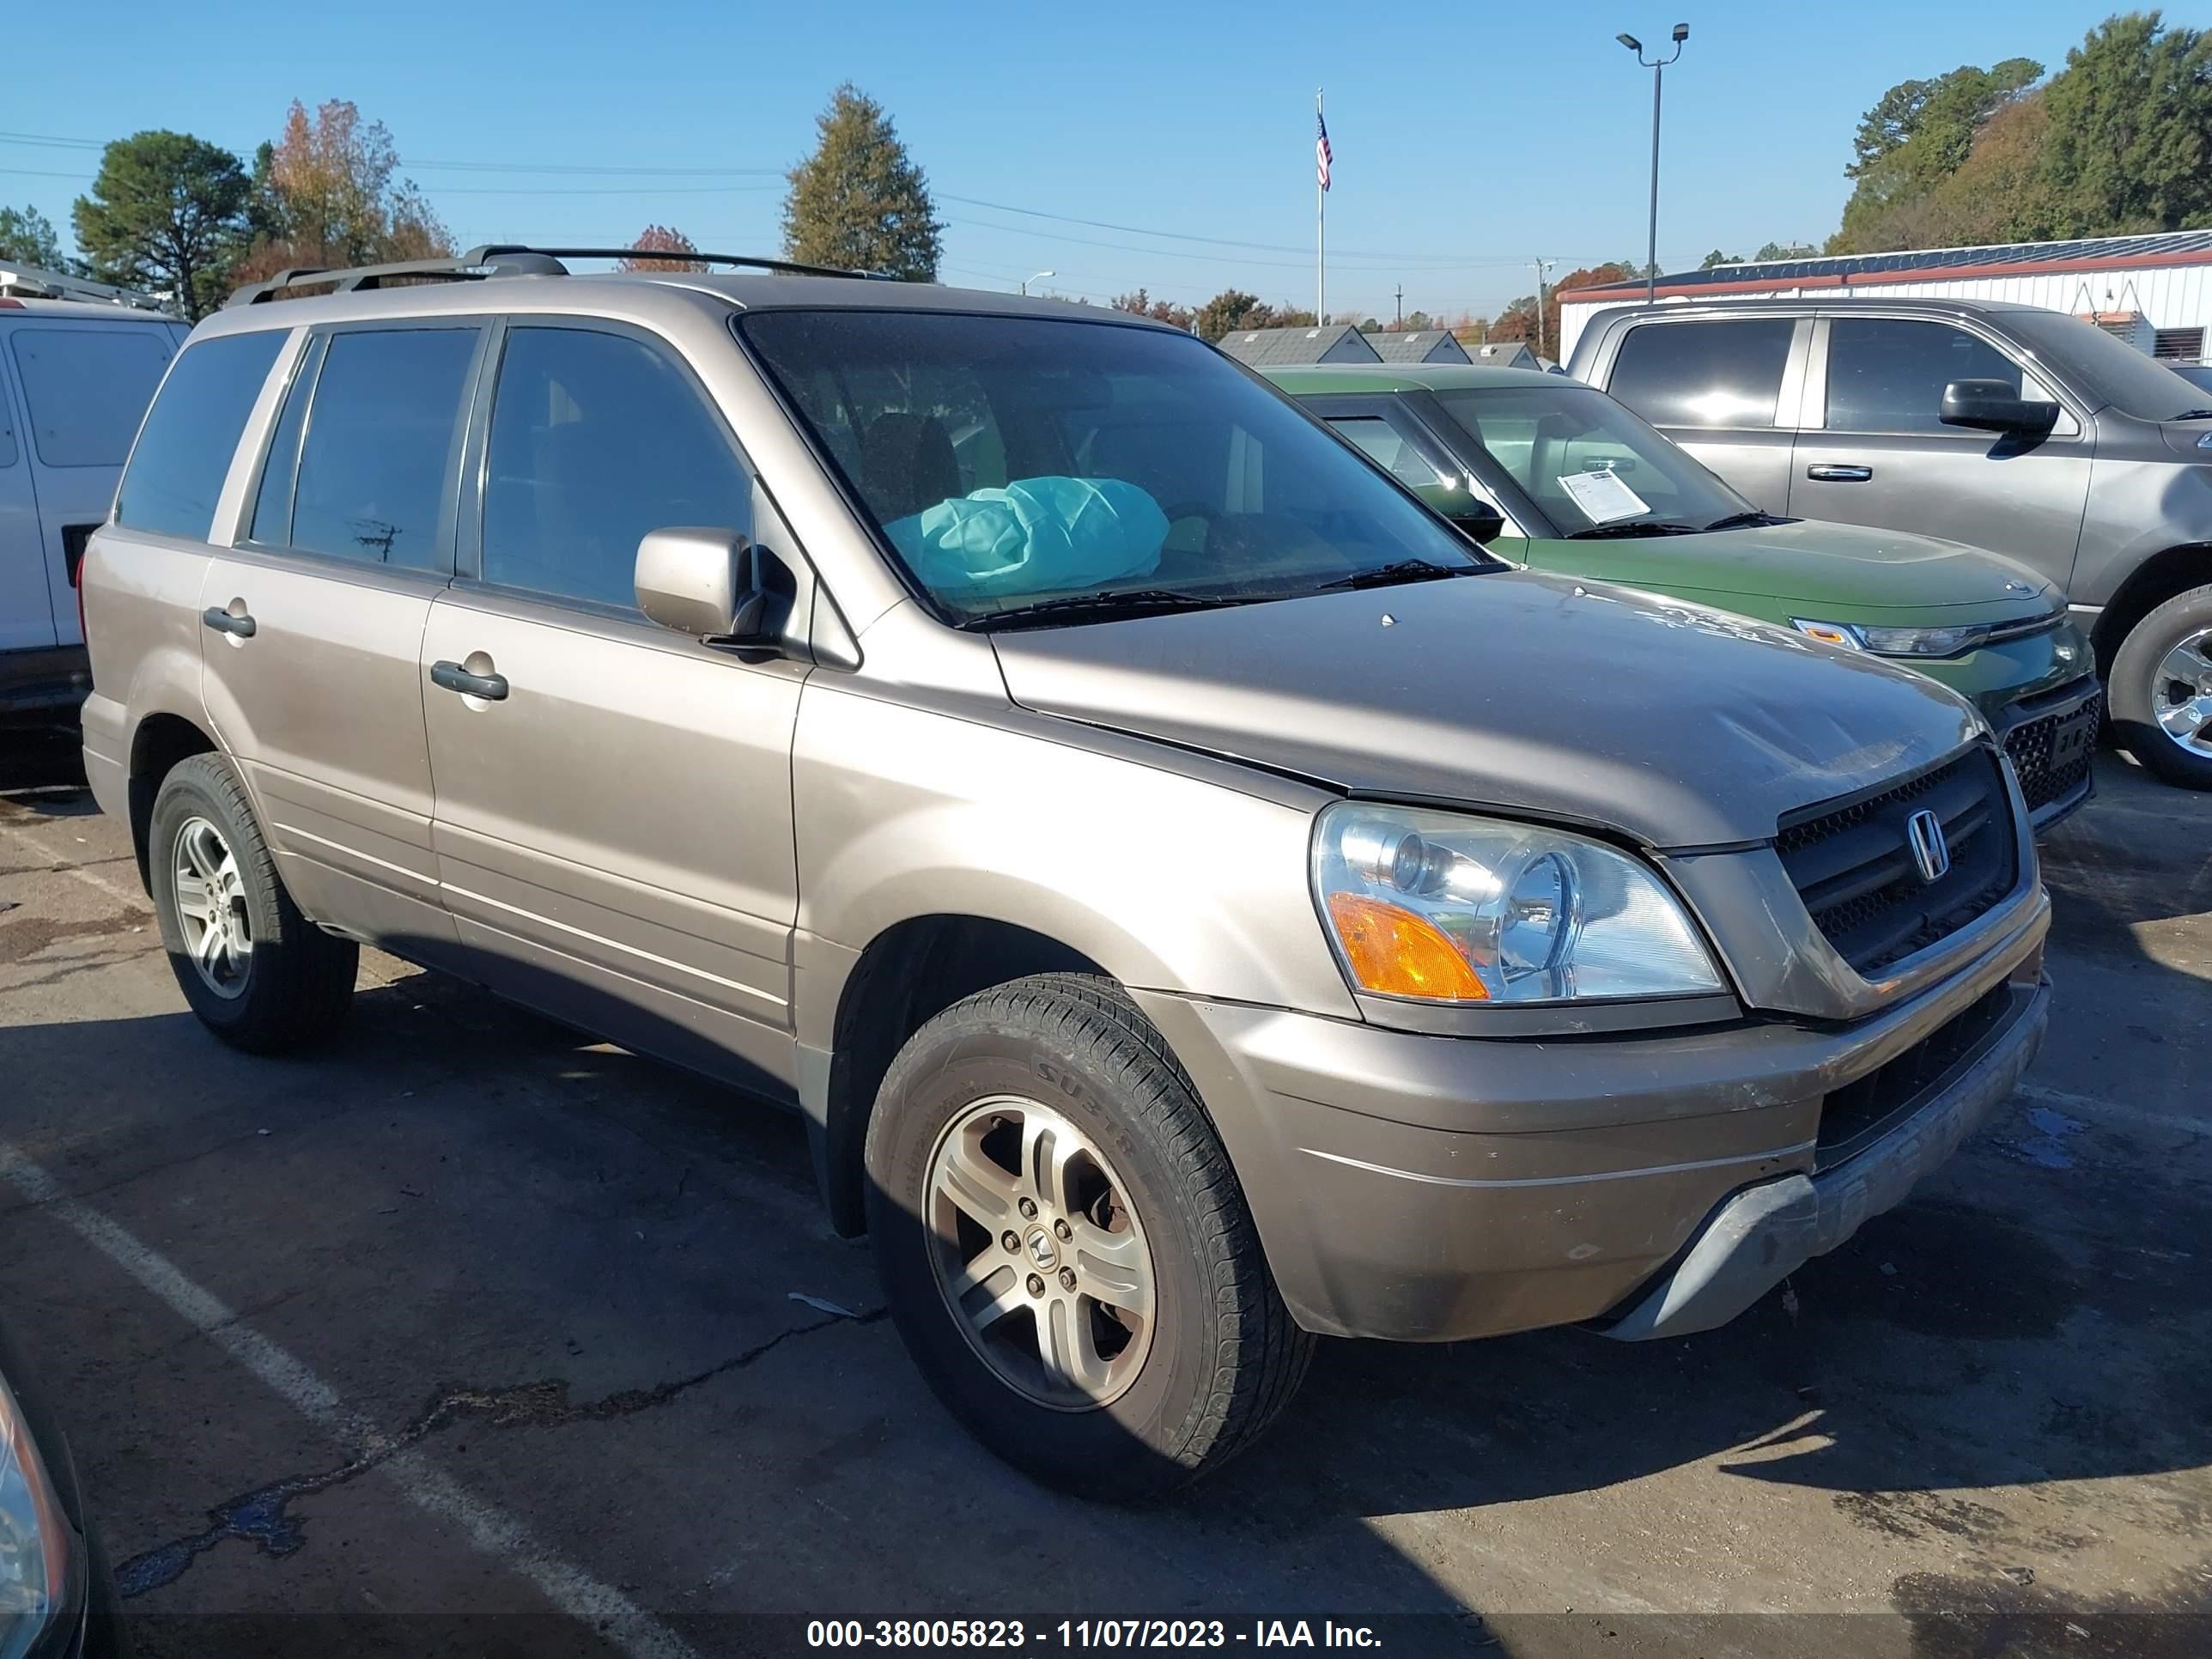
{"points": [[313, 620]]}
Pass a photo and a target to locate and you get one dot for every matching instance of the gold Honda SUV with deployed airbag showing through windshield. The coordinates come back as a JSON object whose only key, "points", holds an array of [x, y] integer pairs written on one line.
{"points": [[1196, 899]]}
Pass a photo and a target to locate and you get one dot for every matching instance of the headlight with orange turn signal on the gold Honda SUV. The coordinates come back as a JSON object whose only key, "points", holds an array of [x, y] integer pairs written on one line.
{"points": [[1450, 908]]}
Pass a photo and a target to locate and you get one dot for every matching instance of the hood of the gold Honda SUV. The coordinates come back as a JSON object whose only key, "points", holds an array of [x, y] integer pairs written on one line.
{"points": [[1514, 691]]}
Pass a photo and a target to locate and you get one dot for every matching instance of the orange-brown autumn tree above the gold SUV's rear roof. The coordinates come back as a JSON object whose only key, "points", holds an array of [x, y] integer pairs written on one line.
{"points": [[326, 194]]}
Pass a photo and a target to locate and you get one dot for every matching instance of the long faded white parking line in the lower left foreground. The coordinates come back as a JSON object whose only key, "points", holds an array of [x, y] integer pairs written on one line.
{"points": [[424, 1483]]}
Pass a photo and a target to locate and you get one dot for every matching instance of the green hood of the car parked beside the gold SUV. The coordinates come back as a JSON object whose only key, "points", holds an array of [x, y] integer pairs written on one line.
{"points": [[1819, 570]]}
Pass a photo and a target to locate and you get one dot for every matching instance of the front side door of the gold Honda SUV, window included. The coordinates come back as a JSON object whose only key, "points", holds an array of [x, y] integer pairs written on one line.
{"points": [[614, 815]]}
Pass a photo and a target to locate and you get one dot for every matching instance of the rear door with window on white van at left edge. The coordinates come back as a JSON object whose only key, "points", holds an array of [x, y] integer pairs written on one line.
{"points": [[85, 388]]}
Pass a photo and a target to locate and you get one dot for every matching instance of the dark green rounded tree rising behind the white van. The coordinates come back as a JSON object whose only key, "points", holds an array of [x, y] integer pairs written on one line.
{"points": [[165, 213]]}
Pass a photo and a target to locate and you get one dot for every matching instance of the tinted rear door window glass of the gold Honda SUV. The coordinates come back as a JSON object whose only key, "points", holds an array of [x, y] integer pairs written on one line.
{"points": [[382, 455]]}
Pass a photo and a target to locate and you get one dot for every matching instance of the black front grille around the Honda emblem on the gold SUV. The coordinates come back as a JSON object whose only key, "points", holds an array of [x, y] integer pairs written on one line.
{"points": [[1853, 862]]}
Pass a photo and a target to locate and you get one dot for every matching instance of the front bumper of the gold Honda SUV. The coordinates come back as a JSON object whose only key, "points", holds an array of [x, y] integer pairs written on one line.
{"points": [[1437, 1189]]}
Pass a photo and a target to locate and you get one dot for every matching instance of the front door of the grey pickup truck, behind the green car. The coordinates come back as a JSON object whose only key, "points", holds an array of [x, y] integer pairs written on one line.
{"points": [[1875, 448]]}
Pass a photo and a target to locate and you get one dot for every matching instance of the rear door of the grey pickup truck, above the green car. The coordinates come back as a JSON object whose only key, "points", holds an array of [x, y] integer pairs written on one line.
{"points": [[1724, 388]]}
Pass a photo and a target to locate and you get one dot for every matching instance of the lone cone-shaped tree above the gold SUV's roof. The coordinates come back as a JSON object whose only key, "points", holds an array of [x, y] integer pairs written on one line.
{"points": [[862, 202]]}
